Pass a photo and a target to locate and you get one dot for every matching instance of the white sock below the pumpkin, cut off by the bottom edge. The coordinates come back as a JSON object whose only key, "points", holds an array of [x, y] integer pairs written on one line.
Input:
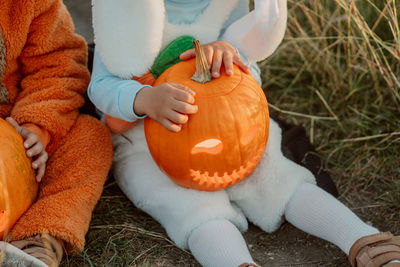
{"points": [[219, 243]]}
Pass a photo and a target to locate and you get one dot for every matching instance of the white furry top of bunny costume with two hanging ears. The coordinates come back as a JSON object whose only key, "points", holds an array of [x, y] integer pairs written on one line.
{"points": [[118, 25]]}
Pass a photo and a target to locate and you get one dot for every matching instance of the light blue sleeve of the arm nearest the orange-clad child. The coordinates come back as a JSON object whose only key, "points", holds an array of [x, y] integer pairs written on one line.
{"points": [[112, 95]]}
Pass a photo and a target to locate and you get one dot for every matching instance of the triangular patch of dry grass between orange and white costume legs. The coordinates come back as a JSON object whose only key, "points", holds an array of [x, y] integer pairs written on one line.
{"points": [[121, 235]]}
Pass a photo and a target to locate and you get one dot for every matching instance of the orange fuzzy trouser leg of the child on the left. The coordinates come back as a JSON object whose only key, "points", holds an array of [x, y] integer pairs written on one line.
{"points": [[72, 185]]}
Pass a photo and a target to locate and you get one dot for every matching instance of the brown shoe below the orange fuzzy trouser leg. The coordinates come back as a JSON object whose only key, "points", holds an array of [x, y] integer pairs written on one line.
{"points": [[43, 247]]}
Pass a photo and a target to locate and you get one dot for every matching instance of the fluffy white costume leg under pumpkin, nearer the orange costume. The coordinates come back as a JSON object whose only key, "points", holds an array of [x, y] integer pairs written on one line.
{"points": [[178, 209]]}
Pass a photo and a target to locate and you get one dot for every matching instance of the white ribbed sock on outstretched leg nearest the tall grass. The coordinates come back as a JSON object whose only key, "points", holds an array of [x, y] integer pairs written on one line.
{"points": [[316, 212]]}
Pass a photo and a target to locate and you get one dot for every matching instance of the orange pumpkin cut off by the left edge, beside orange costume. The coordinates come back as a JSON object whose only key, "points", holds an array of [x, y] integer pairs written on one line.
{"points": [[18, 188]]}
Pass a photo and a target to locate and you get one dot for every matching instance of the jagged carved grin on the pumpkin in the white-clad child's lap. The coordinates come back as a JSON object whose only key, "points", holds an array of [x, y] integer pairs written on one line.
{"points": [[226, 179]]}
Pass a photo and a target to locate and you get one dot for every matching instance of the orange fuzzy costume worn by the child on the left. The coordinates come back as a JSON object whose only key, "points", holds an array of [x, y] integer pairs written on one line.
{"points": [[43, 76]]}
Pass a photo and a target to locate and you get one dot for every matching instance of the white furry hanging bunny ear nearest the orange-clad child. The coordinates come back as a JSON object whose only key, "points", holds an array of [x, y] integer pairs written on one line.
{"points": [[128, 34]]}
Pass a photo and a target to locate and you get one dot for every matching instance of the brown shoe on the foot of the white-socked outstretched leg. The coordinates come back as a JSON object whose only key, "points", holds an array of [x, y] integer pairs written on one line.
{"points": [[375, 251]]}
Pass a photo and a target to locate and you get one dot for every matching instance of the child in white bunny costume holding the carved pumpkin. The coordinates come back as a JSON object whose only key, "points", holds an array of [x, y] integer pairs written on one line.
{"points": [[129, 35]]}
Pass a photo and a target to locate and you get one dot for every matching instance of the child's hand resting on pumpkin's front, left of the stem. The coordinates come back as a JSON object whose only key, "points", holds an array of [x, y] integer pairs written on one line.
{"points": [[167, 103]]}
